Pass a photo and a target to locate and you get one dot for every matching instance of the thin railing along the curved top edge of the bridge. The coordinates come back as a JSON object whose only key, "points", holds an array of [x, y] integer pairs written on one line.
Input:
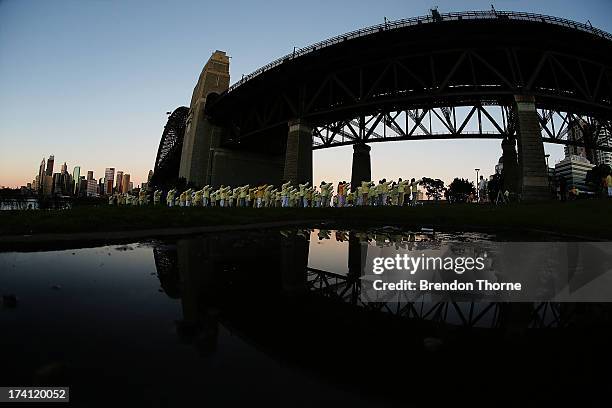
{"points": [[407, 22]]}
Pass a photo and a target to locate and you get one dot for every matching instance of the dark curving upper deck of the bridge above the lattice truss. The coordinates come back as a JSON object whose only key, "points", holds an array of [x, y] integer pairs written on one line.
{"points": [[461, 60]]}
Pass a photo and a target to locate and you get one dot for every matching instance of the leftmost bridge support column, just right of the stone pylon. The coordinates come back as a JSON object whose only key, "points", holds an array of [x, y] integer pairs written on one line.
{"points": [[298, 156]]}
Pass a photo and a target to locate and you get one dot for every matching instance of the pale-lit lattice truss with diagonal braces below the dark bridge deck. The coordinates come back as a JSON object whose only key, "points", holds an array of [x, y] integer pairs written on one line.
{"points": [[481, 120]]}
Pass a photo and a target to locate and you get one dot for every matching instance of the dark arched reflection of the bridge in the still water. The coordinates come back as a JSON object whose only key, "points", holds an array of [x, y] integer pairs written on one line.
{"points": [[259, 287]]}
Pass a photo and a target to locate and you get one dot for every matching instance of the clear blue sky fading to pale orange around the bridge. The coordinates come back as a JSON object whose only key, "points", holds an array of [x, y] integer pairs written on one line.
{"points": [[90, 81]]}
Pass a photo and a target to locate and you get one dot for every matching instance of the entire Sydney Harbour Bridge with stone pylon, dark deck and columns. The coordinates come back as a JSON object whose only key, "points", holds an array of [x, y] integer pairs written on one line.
{"points": [[519, 77]]}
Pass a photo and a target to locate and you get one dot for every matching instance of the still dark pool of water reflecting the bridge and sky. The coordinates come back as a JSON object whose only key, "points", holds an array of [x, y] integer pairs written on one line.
{"points": [[252, 306]]}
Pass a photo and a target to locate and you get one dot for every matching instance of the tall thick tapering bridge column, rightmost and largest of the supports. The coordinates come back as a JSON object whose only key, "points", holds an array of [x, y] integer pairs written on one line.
{"points": [[533, 178]]}
